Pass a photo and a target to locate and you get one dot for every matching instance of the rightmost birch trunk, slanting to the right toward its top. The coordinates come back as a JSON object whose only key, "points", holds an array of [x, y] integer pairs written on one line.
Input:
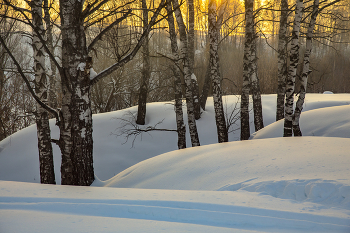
{"points": [[306, 70]]}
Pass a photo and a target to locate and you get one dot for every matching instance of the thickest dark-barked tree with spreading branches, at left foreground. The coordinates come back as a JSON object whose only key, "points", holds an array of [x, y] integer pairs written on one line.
{"points": [[75, 117]]}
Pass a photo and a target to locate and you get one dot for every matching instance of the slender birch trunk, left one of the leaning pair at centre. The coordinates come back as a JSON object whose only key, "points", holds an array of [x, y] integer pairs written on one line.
{"points": [[181, 128]]}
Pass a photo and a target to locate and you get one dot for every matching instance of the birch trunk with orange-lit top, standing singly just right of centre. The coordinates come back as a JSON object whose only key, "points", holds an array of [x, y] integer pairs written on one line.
{"points": [[213, 32]]}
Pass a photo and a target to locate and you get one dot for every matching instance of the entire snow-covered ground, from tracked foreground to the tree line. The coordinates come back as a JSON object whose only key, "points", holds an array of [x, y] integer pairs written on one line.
{"points": [[266, 185]]}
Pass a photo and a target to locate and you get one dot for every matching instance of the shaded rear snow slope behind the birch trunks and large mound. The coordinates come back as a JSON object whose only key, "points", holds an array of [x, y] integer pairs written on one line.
{"points": [[112, 155]]}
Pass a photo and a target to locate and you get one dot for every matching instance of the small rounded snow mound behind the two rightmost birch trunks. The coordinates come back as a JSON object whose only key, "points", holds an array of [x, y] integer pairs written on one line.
{"points": [[325, 122]]}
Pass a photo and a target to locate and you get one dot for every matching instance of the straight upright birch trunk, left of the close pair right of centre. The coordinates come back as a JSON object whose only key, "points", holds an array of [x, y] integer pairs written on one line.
{"points": [[247, 70]]}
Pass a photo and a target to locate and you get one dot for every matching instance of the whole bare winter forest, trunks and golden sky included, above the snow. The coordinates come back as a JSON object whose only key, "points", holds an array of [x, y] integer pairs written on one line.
{"points": [[69, 59]]}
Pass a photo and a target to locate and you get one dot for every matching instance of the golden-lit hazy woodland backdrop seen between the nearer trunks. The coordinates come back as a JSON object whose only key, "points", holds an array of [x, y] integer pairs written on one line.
{"points": [[330, 58]]}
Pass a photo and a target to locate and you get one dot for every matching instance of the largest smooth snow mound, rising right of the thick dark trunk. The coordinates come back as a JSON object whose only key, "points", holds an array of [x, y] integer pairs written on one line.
{"points": [[313, 169]]}
